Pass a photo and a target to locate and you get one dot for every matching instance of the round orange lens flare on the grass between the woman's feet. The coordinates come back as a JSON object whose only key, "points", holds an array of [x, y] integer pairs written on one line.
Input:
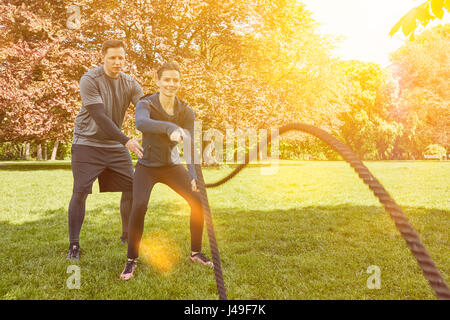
{"points": [[160, 251]]}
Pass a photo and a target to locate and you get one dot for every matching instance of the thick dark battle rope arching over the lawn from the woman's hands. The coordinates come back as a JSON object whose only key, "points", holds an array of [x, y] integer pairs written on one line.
{"points": [[411, 237]]}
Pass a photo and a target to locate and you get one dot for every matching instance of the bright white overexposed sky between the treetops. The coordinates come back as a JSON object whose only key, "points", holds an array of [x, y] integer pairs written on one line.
{"points": [[365, 24]]}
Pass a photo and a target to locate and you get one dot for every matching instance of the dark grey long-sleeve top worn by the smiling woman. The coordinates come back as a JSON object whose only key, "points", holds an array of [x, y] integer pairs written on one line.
{"points": [[156, 126]]}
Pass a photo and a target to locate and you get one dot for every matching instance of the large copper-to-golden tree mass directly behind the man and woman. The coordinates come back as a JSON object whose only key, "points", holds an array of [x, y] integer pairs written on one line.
{"points": [[251, 63]]}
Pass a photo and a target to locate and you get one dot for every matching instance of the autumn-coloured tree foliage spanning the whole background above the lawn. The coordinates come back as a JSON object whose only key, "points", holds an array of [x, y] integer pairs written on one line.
{"points": [[245, 64]]}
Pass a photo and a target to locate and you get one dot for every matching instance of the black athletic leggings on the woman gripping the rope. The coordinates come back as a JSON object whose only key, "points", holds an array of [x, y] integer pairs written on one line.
{"points": [[177, 178]]}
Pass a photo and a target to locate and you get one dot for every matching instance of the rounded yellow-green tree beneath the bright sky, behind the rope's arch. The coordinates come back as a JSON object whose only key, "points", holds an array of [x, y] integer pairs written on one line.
{"points": [[368, 127]]}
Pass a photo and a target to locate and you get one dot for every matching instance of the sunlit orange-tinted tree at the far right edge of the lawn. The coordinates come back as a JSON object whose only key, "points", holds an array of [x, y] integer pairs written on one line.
{"points": [[422, 69]]}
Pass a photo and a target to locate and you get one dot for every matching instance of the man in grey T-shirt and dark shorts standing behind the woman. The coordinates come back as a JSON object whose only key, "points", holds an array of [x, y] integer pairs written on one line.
{"points": [[99, 149]]}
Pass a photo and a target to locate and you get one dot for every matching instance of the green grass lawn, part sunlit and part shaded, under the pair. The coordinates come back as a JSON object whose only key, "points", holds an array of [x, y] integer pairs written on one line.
{"points": [[308, 232]]}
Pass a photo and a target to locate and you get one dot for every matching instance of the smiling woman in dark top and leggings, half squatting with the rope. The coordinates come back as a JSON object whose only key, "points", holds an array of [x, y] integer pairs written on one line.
{"points": [[164, 121]]}
